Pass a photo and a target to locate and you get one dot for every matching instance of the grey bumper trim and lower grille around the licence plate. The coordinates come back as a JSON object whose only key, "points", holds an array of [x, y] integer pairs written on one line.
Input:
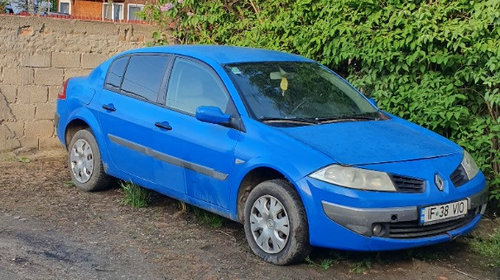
{"points": [[363, 220]]}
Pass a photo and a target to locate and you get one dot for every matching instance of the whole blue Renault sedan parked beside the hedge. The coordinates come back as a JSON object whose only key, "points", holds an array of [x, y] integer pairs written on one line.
{"points": [[273, 140]]}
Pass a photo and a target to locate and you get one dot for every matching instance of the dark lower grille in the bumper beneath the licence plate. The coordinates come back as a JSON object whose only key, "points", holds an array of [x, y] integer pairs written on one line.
{"points": [[413, 229]]}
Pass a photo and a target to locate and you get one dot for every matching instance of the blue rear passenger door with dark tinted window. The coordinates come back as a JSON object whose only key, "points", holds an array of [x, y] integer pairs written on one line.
{"points": [[129, 110]]}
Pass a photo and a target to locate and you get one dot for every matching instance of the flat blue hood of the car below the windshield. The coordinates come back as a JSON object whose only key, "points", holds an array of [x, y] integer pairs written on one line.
{"points": [[372, 142]]}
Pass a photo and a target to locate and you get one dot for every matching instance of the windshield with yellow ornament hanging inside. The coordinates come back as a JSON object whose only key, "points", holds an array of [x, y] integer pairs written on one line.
{"points": [[300, 91]]}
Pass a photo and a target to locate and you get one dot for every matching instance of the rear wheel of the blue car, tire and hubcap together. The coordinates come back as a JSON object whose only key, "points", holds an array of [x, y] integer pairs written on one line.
{"points": [[85, 164]]}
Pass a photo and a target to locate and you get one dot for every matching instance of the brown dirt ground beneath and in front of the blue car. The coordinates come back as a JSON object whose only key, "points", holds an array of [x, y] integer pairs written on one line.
{"points": [[51, 230]]}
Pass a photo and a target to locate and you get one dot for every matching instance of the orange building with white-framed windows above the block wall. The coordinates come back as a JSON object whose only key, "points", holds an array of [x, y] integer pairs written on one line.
{"points": [[112, 10]]}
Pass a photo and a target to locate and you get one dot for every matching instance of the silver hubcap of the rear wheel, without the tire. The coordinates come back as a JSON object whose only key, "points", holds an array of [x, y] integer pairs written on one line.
{"points": [[82, 161]]}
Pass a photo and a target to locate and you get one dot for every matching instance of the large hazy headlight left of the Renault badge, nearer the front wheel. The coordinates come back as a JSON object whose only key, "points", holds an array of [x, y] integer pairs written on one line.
{"points": [[356, 178]]}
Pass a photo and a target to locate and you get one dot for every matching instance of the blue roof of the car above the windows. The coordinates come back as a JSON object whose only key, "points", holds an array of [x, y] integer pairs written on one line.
{"points": [[224, 54]]}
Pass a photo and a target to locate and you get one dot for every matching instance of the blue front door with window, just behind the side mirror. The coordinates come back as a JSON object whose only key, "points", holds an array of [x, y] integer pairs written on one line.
{"points": [[205, 150]]}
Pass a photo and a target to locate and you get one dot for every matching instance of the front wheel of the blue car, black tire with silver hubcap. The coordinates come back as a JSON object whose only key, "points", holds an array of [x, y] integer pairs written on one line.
{"points": [[283, 246]]}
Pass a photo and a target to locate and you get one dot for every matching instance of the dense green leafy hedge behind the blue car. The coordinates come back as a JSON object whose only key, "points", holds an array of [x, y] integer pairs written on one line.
{"points": [[433, 62]]}
